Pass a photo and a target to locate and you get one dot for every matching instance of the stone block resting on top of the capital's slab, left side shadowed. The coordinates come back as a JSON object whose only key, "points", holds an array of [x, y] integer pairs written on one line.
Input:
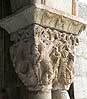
{"points": [[56, 4]]}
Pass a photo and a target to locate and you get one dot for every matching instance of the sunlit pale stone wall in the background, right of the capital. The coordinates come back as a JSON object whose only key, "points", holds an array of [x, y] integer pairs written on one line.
{"points": [[80, 84]]}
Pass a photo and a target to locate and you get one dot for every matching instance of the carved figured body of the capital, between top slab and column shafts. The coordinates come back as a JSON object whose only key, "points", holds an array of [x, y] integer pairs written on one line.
{"points": [[43, 57]]}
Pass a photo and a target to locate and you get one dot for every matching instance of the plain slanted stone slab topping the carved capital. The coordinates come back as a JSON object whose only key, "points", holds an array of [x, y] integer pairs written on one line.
{"points": [[44, 16]]}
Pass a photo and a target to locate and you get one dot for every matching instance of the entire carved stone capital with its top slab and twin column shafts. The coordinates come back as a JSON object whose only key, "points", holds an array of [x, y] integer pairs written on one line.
{"points": [[43, 49]]}
